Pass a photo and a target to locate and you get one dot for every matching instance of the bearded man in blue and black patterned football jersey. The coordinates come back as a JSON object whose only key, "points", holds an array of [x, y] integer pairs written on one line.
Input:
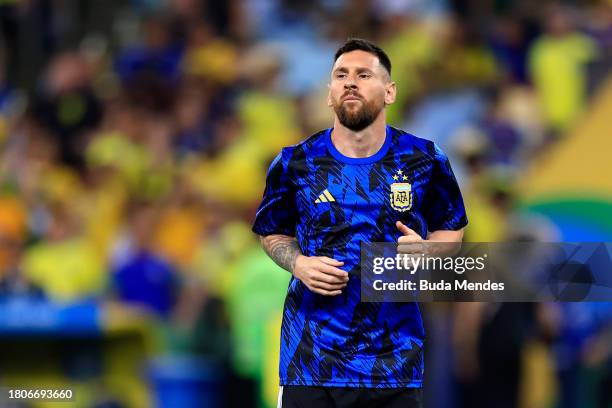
{"points": [[360, 181]]}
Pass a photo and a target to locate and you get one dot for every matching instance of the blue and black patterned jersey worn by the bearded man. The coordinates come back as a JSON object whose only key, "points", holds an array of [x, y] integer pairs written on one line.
{"points": [[340, 341]]}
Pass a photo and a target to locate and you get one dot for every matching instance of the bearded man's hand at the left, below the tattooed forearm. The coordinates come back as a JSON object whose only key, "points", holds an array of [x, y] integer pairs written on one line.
{"points": [[321, 274]]}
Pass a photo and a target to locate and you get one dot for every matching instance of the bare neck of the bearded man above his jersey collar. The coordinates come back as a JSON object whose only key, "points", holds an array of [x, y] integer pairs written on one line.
{"points": [[363, 143]]}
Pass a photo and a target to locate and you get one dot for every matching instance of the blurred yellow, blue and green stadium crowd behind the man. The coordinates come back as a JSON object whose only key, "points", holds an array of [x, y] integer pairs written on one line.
{"points": [[134, 141]]}
